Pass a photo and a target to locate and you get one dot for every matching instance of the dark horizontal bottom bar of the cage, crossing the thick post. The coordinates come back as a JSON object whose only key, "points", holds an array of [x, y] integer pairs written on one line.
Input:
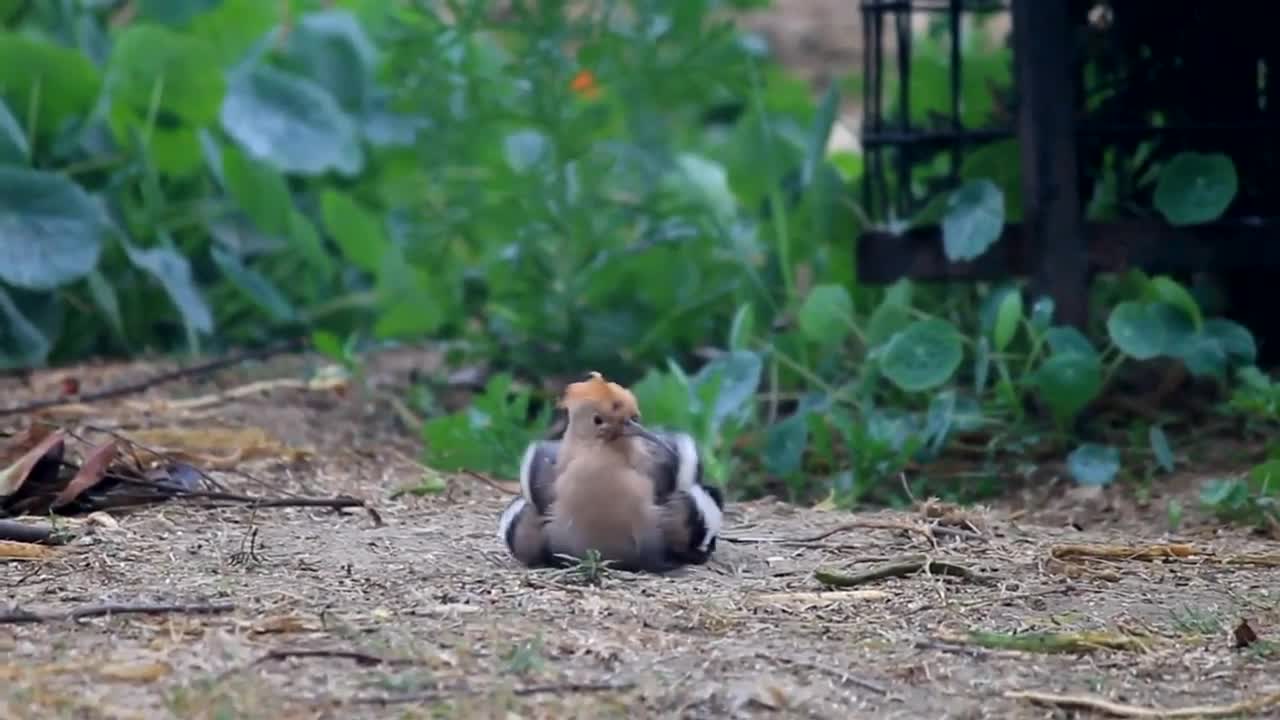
{"points": [[1224, 247]]}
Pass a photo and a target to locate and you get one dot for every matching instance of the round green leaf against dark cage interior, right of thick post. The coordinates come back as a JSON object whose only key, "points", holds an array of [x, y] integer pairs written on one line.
{"points": [[1196, 188]]}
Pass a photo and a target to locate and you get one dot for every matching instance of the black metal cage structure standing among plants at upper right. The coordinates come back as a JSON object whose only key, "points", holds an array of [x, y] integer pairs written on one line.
{"points": [[1099, 95]]}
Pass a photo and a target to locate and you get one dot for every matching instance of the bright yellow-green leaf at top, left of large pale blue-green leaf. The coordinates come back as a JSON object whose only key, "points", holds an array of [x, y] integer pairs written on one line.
{"points": [[153, 63]]}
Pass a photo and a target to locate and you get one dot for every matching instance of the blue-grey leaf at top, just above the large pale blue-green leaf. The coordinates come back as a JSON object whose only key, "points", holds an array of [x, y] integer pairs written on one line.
{"points": [[332, 48]]}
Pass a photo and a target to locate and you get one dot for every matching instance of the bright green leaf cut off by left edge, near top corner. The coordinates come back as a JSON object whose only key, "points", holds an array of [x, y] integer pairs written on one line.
{"points": [[62, 84]]}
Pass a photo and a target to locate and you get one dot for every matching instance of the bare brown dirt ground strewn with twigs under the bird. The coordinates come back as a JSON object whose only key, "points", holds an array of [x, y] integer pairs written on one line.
{"points": [[424, 614]]}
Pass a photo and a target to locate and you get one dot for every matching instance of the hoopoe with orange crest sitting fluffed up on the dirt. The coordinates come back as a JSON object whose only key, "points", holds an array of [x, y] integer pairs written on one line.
{"points": [[634, 495]]}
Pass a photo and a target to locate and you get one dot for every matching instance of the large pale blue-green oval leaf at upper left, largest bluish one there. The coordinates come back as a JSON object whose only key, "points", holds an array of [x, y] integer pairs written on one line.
{"points": [[291, 124]]}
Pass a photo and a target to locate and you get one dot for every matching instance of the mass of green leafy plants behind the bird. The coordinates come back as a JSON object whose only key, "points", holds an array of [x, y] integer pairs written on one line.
{"points": [[559, 186]]}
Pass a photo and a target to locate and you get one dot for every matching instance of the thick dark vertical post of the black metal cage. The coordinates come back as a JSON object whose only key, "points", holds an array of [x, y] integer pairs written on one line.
{"points": [[1045, 72]]}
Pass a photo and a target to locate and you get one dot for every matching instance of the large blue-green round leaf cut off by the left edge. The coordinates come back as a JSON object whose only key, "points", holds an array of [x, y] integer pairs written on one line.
{"points": [[52, 231]]}
